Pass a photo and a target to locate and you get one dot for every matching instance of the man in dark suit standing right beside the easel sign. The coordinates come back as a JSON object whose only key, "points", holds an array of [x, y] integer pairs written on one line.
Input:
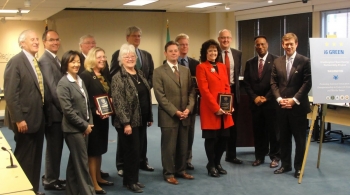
{"points": [[290, 84]]}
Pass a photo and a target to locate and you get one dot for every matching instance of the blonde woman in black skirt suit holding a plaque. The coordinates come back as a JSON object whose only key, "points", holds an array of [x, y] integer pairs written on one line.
{"points": [[97, 85]]}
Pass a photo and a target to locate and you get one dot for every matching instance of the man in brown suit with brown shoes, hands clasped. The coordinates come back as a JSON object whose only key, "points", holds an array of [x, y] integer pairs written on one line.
{"points": [[175, 95]]}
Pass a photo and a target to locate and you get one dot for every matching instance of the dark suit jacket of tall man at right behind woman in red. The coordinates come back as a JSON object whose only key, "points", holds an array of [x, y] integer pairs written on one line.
{"points": [[237, 57]]}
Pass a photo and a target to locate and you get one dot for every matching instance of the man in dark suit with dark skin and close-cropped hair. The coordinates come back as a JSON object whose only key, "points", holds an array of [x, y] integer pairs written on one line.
{"points": [[257, 76]]}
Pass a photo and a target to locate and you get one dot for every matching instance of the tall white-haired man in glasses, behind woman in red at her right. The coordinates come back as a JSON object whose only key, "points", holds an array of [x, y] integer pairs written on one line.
{"points": [[232, 59]]}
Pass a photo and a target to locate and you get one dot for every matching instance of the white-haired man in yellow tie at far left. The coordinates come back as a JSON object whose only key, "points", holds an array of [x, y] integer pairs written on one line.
{"points": [[25, 110]]}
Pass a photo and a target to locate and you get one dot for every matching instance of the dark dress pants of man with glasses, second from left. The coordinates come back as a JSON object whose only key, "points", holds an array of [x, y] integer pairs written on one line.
{"points": [[54, 146]]}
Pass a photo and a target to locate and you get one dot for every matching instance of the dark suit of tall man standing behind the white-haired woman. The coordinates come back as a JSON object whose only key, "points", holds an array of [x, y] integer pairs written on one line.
{"points": [[147, 69]]}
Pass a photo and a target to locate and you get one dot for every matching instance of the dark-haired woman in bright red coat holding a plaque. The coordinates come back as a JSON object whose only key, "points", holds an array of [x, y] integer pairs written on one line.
{"points": [[215, 121]]}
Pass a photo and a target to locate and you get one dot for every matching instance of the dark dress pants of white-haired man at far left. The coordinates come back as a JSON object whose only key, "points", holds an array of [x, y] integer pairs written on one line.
{"points": [[28, 152]]}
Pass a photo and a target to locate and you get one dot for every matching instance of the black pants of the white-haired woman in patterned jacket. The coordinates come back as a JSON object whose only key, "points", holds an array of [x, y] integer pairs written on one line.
{"points": [[131, 155]]}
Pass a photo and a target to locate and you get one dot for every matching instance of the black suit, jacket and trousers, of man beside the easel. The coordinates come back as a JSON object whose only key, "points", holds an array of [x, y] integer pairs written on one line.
{"points": [[292, 121]]}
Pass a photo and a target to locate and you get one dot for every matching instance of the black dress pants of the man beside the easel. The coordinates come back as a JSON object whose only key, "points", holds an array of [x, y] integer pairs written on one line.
{"points": [[296, 126]]}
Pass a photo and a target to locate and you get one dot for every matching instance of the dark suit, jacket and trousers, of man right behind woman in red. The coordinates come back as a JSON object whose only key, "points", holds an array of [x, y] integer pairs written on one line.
{"points": [[231, 142]]}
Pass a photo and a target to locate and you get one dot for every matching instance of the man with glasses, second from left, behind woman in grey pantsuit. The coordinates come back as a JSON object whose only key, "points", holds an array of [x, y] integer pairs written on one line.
{"points": [[51, 69]]}
